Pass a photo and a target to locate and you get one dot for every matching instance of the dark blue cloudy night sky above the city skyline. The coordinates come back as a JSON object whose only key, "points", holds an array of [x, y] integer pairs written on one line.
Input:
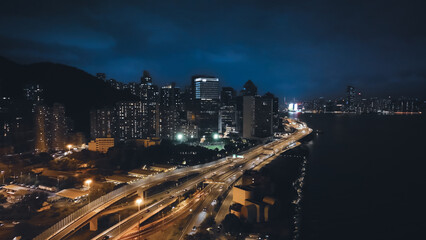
{"points": [[301, 49]]}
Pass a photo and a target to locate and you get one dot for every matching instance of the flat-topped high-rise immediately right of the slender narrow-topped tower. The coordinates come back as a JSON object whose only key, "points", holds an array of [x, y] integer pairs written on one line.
{"points": [[170, 109]]}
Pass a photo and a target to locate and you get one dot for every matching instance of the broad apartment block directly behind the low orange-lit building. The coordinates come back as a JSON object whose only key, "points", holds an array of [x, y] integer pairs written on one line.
{"points": [[102, 123]]}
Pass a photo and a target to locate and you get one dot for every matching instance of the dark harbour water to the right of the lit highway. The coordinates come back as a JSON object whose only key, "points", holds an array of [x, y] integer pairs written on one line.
{"points": [[363, 178]]}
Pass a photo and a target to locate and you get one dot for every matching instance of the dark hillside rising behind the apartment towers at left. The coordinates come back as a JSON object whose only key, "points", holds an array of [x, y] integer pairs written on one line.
{"points": [[77, 90]]}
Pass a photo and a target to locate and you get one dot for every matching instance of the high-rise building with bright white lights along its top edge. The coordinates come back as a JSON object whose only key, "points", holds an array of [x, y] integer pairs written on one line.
{"points": [[206, 95]]}
